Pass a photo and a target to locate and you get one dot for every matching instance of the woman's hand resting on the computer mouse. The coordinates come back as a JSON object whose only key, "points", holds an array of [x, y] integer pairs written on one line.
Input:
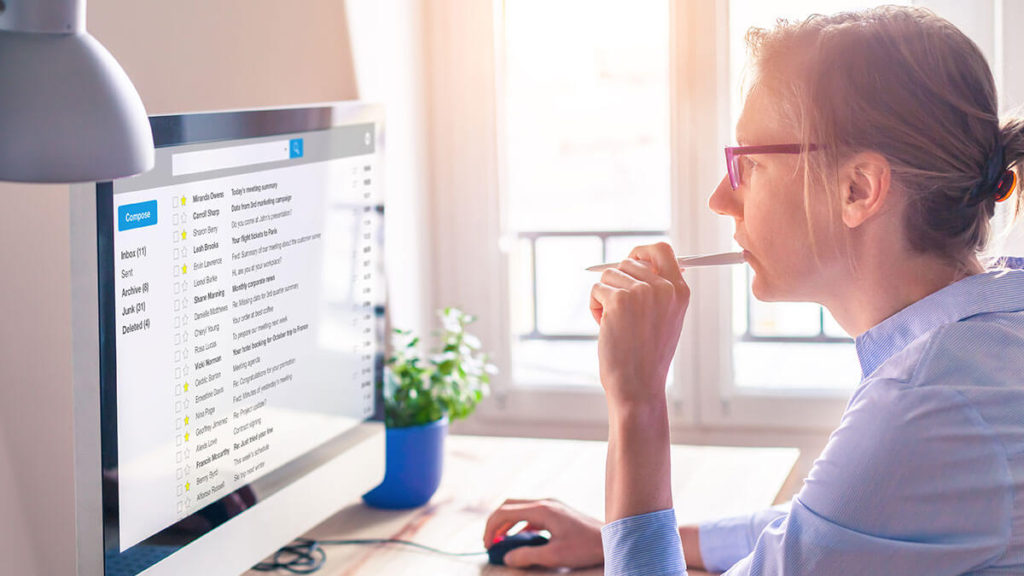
{"points": [[576, 539]]}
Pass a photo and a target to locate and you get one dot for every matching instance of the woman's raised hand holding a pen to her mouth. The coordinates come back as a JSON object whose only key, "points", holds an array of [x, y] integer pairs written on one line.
{"points": [[641, 308]]}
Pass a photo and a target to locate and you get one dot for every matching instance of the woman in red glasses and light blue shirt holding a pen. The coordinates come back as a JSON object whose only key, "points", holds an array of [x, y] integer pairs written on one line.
{"points": [[873, 145]]}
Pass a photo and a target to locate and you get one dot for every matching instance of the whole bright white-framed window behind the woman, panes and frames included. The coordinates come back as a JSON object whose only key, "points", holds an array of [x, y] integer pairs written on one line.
{"points": [[567, 132]]}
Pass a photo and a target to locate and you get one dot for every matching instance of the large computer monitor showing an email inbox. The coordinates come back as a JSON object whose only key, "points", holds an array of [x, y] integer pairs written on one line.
{"points": [[240, 320]]}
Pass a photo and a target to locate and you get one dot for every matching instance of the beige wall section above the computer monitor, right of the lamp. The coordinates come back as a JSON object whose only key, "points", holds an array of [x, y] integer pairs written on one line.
{"points": [[191, 56]]}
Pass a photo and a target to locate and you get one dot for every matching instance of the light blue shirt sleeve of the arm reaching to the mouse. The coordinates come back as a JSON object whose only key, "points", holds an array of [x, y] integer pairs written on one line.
{"points": [[727, 542]]}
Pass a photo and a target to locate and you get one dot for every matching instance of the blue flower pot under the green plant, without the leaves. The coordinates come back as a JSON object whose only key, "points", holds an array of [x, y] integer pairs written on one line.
{"points": [[413, 459]]}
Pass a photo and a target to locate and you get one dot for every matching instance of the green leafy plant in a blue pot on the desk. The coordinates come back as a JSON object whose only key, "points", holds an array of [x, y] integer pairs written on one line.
{"points": [[421, 395]]}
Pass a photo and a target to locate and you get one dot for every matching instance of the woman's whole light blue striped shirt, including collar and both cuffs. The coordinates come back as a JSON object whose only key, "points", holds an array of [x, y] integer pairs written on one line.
{"points": [[925, 474]]}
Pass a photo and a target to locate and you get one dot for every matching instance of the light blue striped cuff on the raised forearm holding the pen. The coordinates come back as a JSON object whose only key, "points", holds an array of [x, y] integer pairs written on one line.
{"points": [[644, 546]]}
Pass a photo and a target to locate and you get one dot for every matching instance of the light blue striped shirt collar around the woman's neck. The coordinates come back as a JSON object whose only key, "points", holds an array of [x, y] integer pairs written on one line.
{"points": [[1000, 290]]}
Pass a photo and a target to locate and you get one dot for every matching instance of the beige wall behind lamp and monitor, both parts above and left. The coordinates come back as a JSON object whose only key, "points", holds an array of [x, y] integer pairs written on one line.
{"points": [[184, 56]]}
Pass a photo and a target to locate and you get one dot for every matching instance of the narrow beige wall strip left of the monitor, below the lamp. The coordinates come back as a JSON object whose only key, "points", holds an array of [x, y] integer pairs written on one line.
{"points": [[35, 362]]}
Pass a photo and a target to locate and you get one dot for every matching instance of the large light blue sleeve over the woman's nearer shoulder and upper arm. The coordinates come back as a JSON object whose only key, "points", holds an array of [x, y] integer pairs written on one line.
{"points": [[914, 483]]}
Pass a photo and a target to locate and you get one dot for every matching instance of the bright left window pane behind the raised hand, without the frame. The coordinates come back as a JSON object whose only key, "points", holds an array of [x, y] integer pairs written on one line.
{"points": [[586, 103]]}
